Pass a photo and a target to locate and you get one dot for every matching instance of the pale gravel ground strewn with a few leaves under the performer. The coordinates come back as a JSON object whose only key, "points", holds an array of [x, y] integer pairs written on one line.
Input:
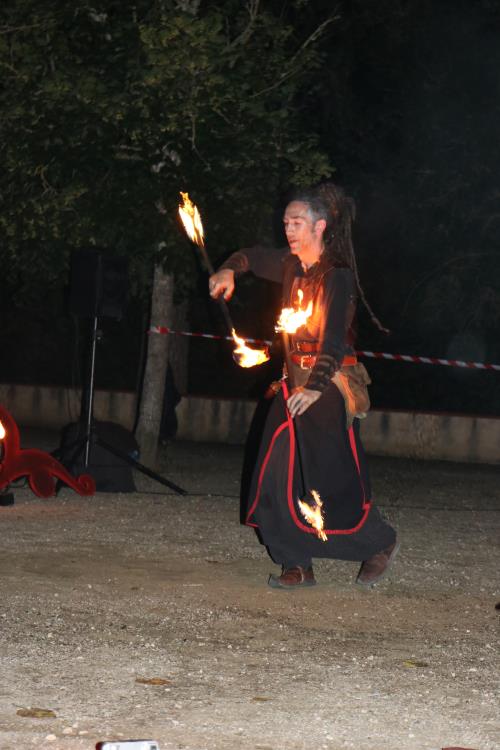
{"points": [[147, 615]]}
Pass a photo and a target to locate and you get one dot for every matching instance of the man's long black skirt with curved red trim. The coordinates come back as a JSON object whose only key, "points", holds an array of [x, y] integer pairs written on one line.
{"points": [[316, 451]]}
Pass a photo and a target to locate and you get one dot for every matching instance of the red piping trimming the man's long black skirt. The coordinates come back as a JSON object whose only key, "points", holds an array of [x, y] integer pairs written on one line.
{"points": [[291, 461]]}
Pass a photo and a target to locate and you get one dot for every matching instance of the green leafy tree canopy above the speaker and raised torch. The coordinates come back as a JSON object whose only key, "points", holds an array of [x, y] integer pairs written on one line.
{"points": [[109, 110]]}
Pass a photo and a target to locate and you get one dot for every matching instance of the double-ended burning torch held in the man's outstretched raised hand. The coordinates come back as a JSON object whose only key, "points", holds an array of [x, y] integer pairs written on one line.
{"points": [[243, 355]]}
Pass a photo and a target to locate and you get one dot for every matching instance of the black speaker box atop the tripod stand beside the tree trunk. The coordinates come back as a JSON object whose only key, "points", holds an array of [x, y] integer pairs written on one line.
{"points": [[98, 284]]}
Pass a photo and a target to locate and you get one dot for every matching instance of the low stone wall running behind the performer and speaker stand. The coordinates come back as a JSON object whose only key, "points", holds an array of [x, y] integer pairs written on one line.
{"points": [[449, 437]]}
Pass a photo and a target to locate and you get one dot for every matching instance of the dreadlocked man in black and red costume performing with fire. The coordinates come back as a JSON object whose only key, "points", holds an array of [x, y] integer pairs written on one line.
{"points": [[311, 446]]}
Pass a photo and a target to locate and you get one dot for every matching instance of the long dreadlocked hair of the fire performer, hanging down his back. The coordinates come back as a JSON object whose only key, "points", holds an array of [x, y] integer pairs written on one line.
{"points": [[330, 202]]}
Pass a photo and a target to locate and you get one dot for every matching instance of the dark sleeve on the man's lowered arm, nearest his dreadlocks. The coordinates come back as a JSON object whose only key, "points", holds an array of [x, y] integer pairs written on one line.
{"points": [[339, 304]]}
